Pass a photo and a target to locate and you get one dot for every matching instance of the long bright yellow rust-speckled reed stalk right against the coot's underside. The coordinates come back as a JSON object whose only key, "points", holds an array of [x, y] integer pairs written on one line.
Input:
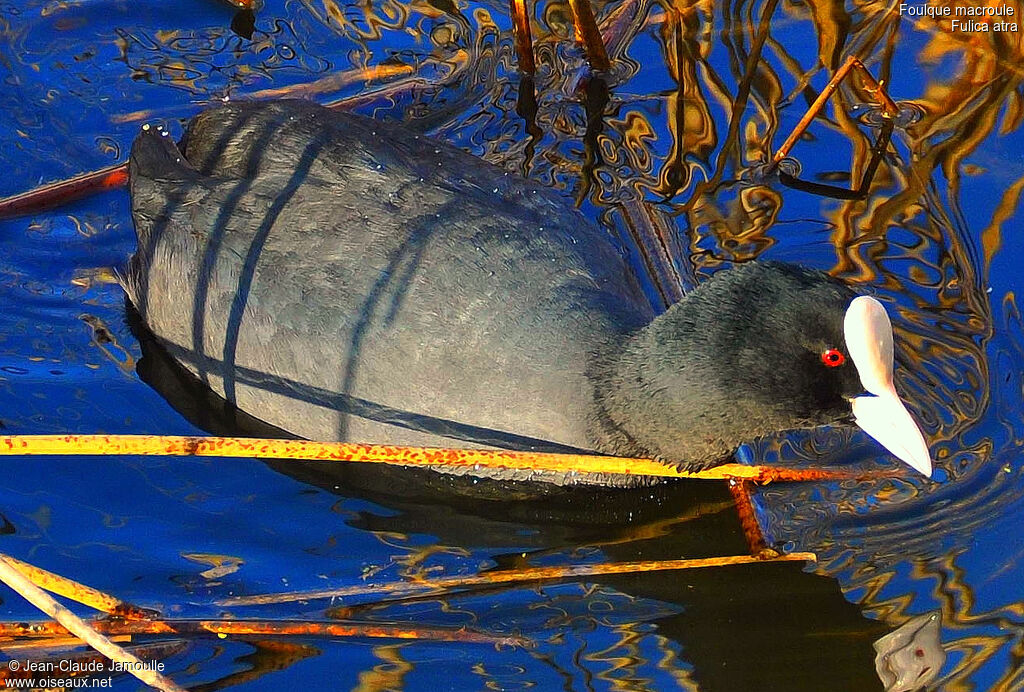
{"points": [[245, 448]]}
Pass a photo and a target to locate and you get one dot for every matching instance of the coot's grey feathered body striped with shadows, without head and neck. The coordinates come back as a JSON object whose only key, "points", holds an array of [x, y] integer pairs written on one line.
{"points": [[297, 257]]}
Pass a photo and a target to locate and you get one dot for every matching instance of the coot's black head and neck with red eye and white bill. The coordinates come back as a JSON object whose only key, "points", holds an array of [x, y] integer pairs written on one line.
{"points": [[759, 349]]}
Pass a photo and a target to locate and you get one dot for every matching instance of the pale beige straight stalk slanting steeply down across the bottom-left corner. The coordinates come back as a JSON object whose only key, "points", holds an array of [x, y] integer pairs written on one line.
{"points": [[71, 623]]}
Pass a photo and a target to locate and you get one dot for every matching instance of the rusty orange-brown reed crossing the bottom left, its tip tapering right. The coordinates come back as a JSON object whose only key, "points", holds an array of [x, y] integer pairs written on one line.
{"points": [[258, 628]]}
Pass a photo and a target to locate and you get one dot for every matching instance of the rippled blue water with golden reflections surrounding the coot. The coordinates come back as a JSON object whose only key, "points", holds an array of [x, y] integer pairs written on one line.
{"points": [[668, 150]]}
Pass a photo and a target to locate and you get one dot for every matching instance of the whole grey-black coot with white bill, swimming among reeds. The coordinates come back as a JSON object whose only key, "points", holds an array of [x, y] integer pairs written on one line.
{"points": [[344, 279]]}
